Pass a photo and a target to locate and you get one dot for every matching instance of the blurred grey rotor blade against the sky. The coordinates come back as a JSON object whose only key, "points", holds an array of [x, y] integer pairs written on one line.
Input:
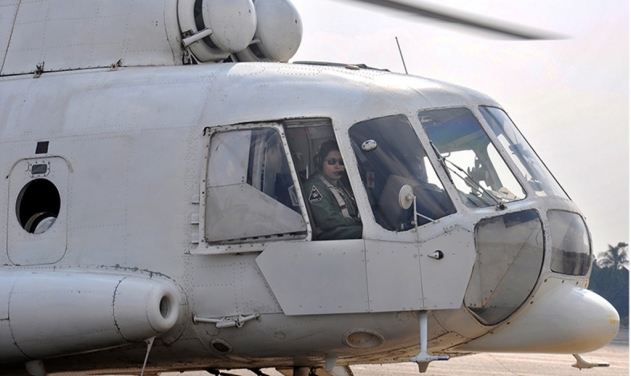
{"points": [[459, 18]]}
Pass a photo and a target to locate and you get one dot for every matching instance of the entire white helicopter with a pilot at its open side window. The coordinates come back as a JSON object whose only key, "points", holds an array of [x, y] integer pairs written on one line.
{"points": [[157, 218]]}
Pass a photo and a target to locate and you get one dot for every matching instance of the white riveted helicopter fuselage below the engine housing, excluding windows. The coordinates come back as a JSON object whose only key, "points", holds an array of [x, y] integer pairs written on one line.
{"points": [[127, 150]]}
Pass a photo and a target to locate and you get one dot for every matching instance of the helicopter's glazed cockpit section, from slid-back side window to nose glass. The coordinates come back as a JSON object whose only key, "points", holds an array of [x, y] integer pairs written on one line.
{"points": [[464, 167]]}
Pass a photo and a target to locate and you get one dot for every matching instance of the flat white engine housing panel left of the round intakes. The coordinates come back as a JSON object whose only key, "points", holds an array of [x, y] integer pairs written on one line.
{"points": [[67, 34]]}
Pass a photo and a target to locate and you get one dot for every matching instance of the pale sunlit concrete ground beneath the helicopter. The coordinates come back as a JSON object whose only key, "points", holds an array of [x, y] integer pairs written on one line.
{"points": [[497, 364]]}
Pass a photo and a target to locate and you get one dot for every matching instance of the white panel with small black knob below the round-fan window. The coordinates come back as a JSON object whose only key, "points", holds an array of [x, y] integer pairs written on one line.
{"points": [[428, 274]]}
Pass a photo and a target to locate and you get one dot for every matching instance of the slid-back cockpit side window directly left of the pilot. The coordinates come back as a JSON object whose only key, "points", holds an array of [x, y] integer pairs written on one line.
{"points": [[249, 188]]}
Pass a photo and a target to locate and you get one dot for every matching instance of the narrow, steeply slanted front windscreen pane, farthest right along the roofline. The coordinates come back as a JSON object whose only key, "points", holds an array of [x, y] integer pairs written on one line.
{"points": [[530, 166]]}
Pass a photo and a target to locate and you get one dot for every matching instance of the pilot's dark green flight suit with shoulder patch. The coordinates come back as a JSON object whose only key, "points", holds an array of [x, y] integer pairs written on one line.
{"points": [[332, 220]]}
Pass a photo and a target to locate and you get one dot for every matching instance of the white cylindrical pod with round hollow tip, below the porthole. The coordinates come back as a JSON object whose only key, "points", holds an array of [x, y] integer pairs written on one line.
{"points": [[53, 313]]}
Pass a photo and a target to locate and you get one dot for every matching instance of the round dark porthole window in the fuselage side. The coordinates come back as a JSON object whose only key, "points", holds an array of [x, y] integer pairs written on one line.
{"points": [[38, 206]]}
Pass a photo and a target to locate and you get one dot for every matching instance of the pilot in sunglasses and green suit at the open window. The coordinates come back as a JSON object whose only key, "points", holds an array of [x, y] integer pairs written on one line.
{"points": [[333, 207]]}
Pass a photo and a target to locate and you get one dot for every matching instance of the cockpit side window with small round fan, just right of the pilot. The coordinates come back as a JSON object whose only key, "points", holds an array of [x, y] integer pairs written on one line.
{"points": [[390, 156]]}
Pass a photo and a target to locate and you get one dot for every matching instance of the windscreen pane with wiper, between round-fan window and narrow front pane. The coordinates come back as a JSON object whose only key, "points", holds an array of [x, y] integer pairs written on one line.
{"points": [[469, 158]]}
